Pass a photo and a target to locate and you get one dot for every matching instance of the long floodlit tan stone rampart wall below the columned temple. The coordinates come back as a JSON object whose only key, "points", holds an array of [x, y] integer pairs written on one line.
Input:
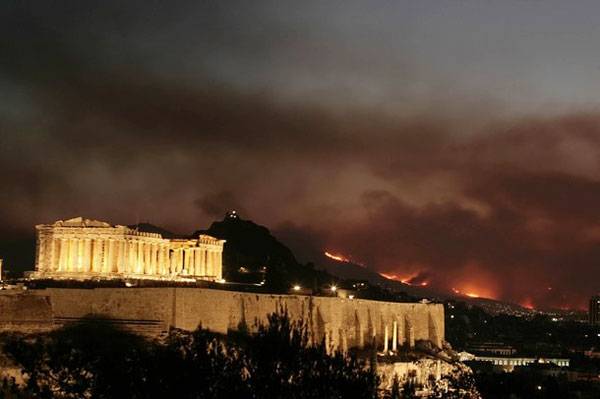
{"points": [[343, 323]]}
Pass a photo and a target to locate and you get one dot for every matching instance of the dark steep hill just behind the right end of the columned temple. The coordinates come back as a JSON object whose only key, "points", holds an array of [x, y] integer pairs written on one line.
{"points": [[252, 254]]}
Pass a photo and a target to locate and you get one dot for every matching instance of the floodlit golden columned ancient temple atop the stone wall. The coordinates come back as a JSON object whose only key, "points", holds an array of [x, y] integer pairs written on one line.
{"points": [[82, 249]]}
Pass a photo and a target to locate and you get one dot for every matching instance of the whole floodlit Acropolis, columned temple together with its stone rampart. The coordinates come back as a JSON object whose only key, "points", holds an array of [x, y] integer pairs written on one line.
{"points": [[83, 249]]}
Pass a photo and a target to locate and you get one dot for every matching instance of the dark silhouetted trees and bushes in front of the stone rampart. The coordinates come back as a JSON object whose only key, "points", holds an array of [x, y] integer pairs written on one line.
{"points": [[96, 360]]}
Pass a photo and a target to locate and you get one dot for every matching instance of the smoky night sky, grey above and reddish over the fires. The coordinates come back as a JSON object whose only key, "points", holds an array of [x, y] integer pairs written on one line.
{"points": [[454, 140]]}
